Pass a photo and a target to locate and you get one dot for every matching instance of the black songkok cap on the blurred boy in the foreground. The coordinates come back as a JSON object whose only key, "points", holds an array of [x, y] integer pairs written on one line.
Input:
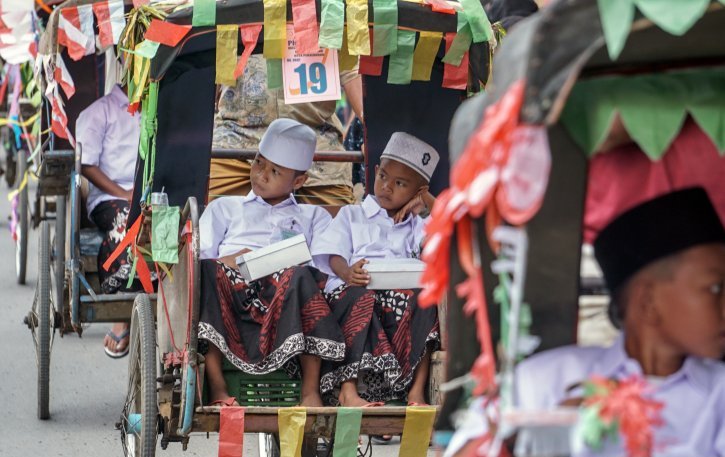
{"points": [[656, 229]]}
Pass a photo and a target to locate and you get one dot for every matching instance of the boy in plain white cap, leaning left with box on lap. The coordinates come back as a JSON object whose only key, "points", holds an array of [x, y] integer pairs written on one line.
{"points": [[265, 325]]}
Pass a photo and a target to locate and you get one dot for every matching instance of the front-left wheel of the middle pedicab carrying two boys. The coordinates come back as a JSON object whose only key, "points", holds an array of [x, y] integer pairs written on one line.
{"points": [[139, 419]]}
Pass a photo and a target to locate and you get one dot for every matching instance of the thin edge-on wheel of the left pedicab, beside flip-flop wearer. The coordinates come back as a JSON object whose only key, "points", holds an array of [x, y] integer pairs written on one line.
{"points": [[44, 317]]}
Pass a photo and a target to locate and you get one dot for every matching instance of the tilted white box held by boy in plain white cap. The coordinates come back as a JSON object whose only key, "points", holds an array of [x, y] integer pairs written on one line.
{"points": [[277, 256]]}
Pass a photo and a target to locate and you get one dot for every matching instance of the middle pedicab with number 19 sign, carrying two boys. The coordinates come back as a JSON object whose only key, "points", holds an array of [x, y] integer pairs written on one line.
{"points": [[166, 370]]}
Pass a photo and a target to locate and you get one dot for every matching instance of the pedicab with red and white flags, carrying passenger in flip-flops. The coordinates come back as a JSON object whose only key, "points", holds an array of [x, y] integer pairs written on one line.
{"points": [[68, 292]]}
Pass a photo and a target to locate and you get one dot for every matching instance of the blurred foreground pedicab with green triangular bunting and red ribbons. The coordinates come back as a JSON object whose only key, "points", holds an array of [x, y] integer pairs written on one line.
{"points": [[526, 157]]}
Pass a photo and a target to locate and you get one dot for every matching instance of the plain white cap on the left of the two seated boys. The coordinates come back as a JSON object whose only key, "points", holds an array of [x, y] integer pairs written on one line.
{"points": [[289, 143]]}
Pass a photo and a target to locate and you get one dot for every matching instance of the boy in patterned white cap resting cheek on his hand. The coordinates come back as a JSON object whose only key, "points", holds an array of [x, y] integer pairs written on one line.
{"points": [[388, 338]]}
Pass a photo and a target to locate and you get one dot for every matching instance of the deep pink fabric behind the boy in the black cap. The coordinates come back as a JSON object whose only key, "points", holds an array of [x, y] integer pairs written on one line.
{"points": [[625, 177]]}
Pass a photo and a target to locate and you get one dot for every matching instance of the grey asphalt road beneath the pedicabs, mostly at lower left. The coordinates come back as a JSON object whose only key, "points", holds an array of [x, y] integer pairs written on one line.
{"points": [[87, 388]]}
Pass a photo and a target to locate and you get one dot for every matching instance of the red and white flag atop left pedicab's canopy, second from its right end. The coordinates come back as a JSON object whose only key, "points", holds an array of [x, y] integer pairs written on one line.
{"points": [[75, 31]]}
